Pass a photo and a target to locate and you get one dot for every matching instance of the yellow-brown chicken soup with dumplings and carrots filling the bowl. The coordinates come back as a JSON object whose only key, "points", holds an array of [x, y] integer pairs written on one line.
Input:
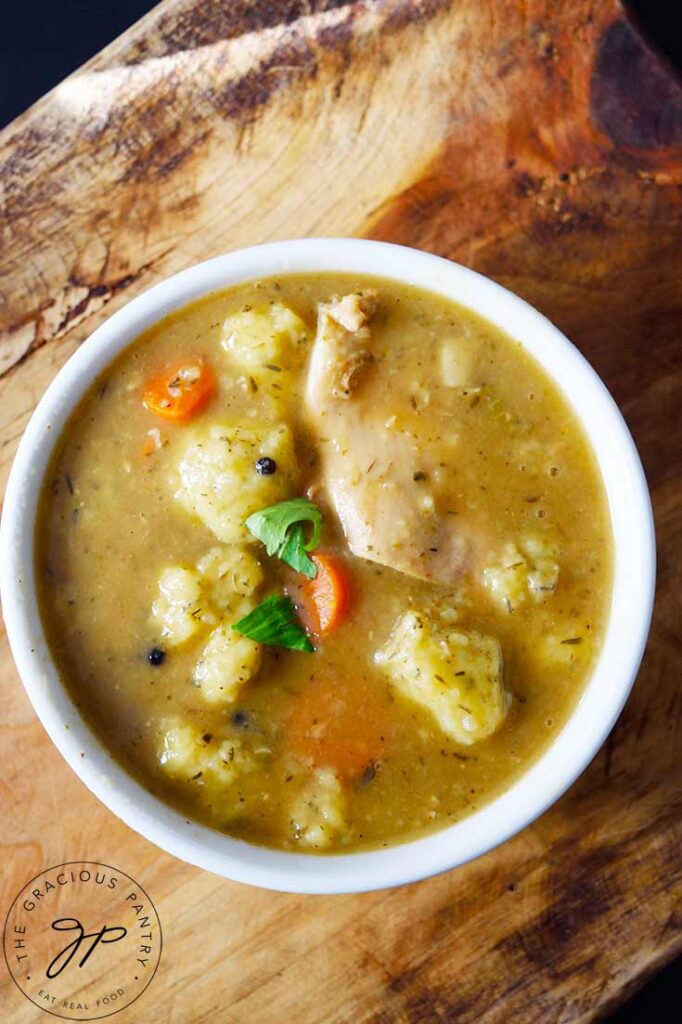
{"points": [[325, 561]]}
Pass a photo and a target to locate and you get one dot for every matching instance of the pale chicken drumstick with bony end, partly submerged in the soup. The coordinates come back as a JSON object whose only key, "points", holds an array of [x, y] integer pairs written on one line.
{"points": [[379, 475]]}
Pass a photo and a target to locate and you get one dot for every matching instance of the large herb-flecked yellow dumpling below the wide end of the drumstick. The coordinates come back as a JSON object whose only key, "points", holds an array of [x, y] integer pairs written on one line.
{"points": [[456, 676]]}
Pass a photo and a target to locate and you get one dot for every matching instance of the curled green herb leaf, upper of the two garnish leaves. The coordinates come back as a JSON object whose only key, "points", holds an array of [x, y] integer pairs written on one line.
{"points": [[281, 529]]}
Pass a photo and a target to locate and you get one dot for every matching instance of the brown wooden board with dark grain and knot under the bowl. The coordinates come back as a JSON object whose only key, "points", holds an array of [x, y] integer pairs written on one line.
{"points": [[538, 143]]}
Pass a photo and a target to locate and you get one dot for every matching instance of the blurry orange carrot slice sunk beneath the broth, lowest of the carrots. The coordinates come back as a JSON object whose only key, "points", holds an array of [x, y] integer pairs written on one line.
{"points": [[338, 724]]}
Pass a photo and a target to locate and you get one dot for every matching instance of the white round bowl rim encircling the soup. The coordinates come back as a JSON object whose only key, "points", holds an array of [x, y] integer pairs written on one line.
{"points": [[544, 783]]}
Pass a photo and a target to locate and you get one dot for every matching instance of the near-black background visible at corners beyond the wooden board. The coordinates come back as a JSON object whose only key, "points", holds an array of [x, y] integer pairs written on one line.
{"points": [[40, 45]]}
